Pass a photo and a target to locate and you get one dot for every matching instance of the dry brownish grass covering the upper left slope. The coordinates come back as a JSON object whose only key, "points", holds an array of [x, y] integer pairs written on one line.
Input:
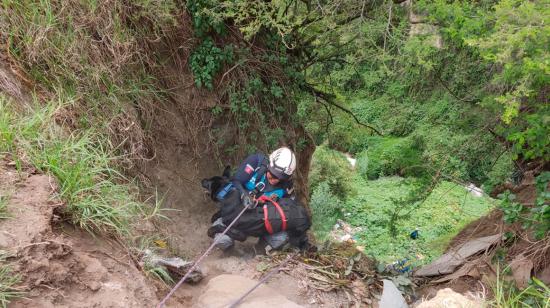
{"points": [[99, 53]]}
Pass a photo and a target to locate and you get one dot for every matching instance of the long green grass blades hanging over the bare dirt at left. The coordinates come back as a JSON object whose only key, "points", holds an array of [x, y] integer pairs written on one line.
{"points": [[98, 198]]}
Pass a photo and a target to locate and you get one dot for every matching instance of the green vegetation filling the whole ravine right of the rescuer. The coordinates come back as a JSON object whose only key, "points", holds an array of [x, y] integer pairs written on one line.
{"points": [[456, 96]]}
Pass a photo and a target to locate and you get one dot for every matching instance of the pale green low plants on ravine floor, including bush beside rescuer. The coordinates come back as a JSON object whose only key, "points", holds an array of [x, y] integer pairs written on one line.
{"points": [[370, 206]]}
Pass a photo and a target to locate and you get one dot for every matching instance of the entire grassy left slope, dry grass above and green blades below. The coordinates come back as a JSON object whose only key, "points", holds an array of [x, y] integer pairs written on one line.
{"points": [[88, 64]]}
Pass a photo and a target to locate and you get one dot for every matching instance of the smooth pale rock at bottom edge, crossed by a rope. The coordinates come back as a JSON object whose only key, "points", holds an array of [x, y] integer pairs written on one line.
{"points": [[223, 290]]}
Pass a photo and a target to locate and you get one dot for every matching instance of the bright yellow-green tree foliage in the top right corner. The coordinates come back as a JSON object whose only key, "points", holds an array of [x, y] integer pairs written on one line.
{"points": [[512, 35]]}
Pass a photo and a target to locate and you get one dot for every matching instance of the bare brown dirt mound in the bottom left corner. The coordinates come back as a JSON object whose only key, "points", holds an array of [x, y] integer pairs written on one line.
{"points": [[62, 268]]}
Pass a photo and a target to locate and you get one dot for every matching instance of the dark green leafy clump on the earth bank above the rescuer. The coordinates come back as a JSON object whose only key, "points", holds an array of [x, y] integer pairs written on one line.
{"points": [[206, 60]]}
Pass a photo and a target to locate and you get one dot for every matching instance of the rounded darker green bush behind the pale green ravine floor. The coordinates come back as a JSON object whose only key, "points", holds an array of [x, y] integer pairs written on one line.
{"points": [[390, 156]]}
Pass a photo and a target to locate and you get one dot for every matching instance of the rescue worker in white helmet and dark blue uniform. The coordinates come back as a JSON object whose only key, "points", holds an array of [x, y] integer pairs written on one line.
{"points": [[257, 176]]}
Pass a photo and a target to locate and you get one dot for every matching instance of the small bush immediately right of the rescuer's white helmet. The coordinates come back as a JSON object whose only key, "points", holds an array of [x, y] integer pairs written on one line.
{"points": [[330, 167]]}
